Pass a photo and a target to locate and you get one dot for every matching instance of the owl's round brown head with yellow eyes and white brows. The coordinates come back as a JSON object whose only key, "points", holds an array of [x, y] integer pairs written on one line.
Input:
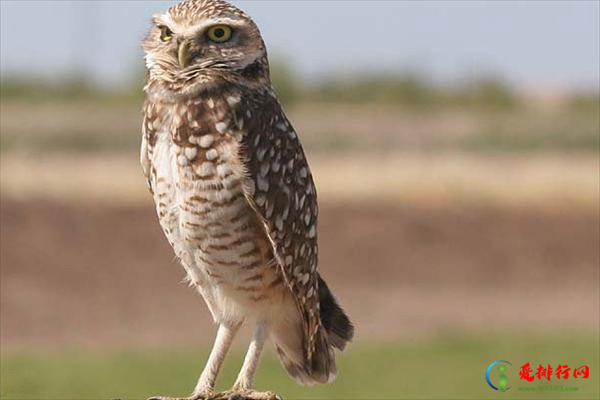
{"points": [[201, 43]]}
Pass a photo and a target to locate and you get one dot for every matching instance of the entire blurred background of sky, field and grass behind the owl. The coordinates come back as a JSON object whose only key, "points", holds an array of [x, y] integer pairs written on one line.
{"points": [[455, 147]]}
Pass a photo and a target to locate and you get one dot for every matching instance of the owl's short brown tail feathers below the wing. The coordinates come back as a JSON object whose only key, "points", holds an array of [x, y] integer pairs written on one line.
{"points": [[336, 333]]}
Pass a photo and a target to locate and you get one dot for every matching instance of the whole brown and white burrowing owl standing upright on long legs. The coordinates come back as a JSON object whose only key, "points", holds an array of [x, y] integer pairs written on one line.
{"points": [[234, 193]]}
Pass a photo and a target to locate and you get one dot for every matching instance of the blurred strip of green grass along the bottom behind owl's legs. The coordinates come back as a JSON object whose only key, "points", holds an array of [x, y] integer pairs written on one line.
{"points": [[449, 367]]}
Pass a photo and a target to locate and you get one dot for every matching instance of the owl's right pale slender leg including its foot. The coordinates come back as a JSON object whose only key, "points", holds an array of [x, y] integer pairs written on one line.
{"points": [[242, 388]]}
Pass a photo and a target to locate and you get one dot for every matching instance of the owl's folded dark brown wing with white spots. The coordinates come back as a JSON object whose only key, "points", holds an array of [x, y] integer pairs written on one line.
{"points": [[280, 188]]}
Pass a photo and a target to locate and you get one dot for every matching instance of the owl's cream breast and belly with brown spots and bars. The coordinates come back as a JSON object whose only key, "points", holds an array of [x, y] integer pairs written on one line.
{"points": [[197, 180]]}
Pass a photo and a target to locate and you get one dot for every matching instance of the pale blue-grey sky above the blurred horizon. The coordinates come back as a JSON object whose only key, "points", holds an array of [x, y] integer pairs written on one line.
{"points": [[533, 44]]}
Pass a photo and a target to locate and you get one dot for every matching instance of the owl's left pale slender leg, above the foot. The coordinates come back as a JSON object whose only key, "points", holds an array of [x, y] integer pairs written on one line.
{"points": [[225, 336]]}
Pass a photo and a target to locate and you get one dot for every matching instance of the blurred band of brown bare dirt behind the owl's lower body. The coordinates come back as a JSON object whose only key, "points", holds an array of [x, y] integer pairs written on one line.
{"points": [[95, 275]]}
